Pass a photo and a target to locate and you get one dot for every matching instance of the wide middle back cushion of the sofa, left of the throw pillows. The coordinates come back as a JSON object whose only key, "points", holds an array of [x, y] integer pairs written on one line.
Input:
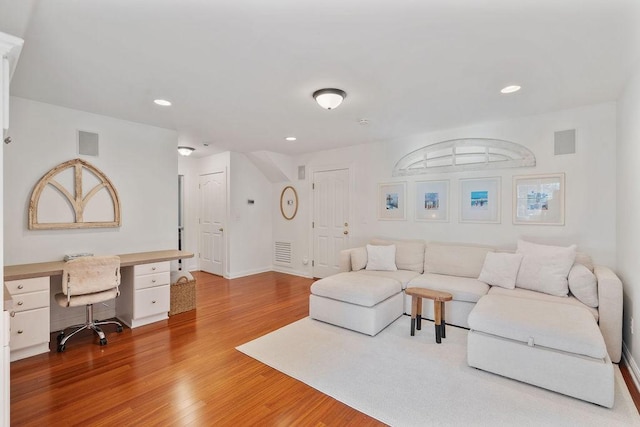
{"points": [[455, 260]]}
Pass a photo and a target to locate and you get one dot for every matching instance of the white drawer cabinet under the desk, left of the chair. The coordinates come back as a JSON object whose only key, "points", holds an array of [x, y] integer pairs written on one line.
{"points": [[29, 319]]}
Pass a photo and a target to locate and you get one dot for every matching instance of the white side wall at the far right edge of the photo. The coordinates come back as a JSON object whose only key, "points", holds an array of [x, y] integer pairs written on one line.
{"points": [[628, 206]]}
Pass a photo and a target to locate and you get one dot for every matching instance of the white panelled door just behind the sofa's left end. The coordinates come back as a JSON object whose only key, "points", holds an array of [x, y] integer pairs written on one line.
{"points": [[330, 220]]}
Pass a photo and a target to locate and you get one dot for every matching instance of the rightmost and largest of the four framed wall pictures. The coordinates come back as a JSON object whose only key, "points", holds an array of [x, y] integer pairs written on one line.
{"points": [[538, 199]]}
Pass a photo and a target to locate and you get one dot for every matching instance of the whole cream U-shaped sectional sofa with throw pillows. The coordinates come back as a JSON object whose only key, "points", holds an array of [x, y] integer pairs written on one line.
{"points": [[552, 322]]}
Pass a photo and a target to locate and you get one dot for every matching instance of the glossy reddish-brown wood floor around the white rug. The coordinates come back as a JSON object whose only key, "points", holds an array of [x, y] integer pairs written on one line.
{"points": [[184, 371]]}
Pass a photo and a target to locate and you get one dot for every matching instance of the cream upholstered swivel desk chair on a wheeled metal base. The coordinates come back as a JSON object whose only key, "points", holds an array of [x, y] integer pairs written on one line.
{"points": [[85, 281]]}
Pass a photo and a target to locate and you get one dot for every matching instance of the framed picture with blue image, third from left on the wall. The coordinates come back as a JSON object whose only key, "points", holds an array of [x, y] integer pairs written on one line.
{"points": [[480, 200]]}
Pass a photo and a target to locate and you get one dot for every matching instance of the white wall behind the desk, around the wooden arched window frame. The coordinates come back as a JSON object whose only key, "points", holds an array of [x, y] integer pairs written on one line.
{"points": [[141, 162]]}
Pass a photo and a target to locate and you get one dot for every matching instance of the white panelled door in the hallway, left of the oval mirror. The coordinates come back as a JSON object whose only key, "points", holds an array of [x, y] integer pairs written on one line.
{"points": [[213, 208]]}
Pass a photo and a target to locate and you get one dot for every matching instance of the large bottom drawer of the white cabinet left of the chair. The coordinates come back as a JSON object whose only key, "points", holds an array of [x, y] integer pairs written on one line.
{"points": [[29, 328]]}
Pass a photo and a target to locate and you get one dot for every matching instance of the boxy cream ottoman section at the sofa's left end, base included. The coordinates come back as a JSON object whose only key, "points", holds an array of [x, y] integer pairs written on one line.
{"points": [[359, 302]]}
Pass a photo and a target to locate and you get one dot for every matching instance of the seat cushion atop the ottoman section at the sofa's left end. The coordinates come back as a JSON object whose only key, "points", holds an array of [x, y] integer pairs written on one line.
{"points": [[356, 288]]}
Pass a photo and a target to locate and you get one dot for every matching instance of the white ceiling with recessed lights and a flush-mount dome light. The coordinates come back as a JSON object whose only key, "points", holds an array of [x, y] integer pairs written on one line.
{"points": [[240, 73]]}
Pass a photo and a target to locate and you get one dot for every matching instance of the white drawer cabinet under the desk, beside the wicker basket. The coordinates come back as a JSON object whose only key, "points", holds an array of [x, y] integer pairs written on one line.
{"points": [[144, 294]]}
